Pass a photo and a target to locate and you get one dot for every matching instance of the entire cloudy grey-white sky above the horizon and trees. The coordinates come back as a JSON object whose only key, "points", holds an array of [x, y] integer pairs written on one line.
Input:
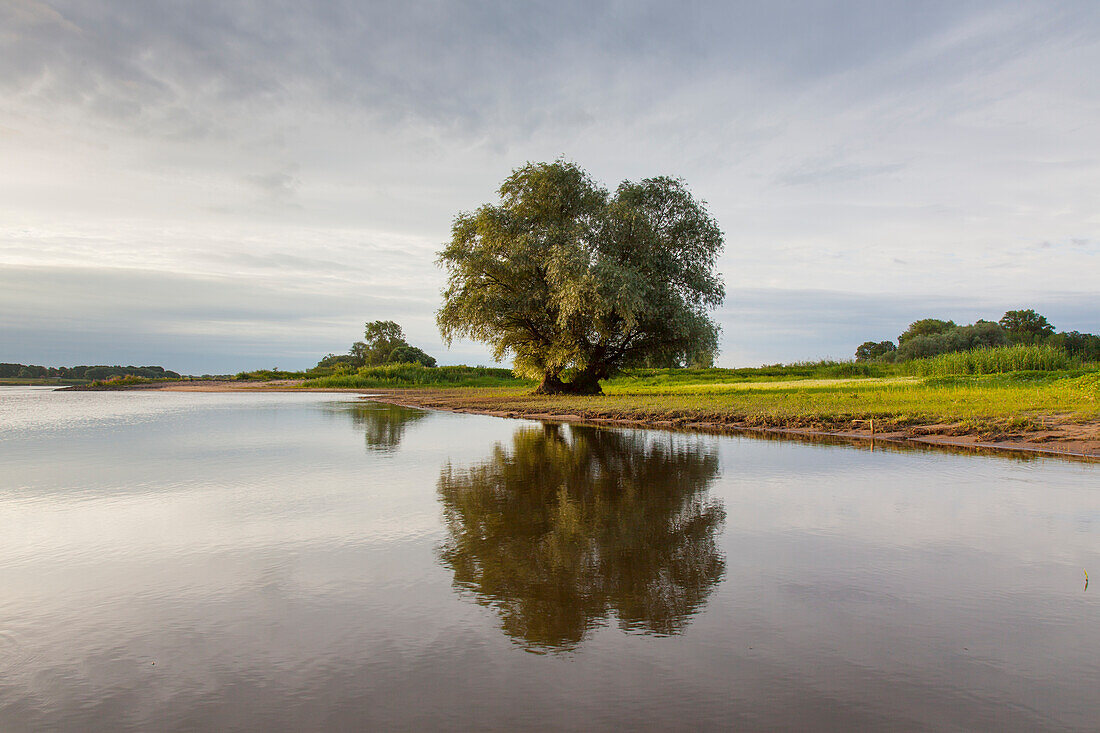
{"points": [[219, 185]]}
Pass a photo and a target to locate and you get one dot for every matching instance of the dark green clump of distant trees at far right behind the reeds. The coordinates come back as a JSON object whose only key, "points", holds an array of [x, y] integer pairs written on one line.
{"points": [[930, 337]]}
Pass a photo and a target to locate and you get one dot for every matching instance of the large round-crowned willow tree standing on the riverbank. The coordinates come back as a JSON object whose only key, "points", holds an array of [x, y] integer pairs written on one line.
{"points": [[576, 283]]}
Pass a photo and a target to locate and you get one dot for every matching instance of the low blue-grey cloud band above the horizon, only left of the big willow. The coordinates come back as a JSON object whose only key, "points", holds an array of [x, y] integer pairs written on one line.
{"points": [[74, 315]]}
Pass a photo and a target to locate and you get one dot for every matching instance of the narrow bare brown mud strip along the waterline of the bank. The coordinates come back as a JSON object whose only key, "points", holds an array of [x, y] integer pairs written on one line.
{"points": [[1085, 446]]}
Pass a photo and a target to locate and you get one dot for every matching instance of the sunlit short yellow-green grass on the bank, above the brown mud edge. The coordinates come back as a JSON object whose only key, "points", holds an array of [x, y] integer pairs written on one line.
{"points": [[985, 404]]}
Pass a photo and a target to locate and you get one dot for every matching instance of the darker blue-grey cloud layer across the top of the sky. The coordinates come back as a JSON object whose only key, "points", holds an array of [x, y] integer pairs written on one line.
{"points": [[169, 69]]}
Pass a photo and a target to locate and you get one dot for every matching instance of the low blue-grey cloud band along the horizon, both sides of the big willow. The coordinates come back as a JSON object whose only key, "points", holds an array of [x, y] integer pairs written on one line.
{"points": [[224, 325]]}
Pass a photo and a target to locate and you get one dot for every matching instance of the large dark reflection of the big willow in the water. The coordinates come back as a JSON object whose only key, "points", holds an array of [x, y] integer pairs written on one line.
{"points": [[559, 534]]}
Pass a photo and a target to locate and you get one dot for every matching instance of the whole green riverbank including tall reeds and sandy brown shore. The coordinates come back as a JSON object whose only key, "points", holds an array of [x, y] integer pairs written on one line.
{"points": [[1031, 395]]}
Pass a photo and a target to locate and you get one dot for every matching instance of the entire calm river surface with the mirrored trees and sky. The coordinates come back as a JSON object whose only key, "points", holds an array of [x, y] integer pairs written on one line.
{"points": [[305, 562]]}
